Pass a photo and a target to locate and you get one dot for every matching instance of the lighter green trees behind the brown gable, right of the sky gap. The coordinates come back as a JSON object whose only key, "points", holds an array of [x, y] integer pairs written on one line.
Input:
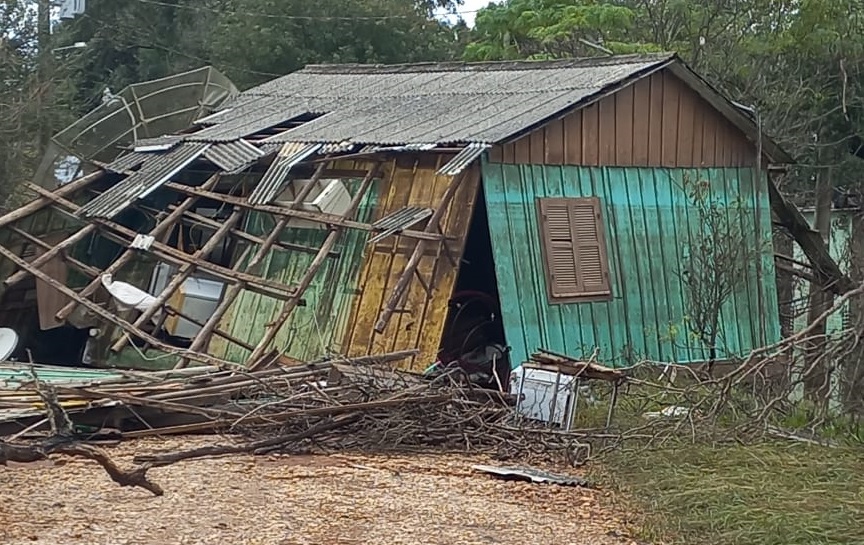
{"points": [[798, 61]]}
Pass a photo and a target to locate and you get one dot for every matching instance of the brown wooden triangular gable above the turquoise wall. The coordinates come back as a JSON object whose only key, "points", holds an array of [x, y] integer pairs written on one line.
{"points": [[658, 121]]}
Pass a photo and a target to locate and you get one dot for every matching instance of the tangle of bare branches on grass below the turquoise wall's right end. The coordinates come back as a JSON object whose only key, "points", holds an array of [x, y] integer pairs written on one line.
{"points": [[806, 388]]}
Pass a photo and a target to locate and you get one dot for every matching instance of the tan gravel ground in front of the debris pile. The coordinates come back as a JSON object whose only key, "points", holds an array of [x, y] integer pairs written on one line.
{"points": [[332, 500]]}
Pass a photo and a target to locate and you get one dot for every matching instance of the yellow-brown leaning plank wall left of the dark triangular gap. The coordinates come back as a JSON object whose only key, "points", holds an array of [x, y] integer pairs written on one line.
{"points": [[420, 322]]}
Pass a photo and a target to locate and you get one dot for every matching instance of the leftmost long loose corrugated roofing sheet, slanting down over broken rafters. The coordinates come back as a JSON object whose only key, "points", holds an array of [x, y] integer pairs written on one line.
{"points": [[156, 171]]}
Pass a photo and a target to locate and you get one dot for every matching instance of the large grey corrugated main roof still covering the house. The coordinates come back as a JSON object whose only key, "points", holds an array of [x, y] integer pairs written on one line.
{"points": [[421, 104]]}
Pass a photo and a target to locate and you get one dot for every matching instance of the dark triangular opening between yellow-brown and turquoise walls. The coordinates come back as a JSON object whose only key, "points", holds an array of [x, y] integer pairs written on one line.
{"points": [[473, 340]]}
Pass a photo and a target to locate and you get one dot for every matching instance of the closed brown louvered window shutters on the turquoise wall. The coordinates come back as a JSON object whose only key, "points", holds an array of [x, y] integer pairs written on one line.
{"points": [[574, 248]]}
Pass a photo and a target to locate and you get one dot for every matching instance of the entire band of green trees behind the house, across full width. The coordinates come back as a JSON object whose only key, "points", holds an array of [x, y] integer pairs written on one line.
{"points": [[798, 61]]}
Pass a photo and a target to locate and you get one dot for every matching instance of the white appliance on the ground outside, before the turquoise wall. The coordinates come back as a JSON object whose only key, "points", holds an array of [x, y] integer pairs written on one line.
{"points": [[544, 395]]}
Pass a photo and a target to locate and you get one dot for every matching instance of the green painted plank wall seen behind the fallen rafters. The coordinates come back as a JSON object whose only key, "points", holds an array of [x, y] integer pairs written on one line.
{"points": [[316, 329]]}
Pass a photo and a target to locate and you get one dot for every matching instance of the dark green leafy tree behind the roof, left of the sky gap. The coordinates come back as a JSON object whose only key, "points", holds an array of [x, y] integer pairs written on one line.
{"points": [[292, 33]]}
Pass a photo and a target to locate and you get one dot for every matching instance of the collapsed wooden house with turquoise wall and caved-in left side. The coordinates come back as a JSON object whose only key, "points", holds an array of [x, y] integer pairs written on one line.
{"points": [[443, 207]]}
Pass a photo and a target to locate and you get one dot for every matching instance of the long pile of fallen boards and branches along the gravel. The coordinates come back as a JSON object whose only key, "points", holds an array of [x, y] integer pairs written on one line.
{"points": [[359, 404]]}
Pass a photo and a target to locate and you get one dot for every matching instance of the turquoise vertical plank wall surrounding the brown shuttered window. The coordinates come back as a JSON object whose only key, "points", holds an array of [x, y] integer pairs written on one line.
{"points": [[646, 216]]}
